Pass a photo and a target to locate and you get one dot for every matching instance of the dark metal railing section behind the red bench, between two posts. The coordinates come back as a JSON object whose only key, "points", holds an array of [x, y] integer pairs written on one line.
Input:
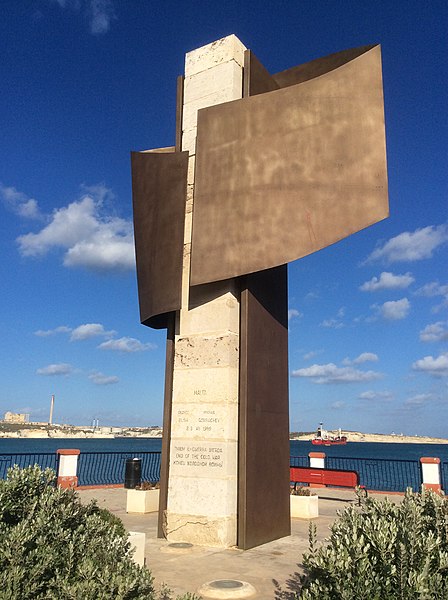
{"points": [[381, 474]]}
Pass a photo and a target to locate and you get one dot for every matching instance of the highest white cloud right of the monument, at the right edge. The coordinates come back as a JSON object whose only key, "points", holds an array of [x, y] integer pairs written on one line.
{"points": [[411, 246]]}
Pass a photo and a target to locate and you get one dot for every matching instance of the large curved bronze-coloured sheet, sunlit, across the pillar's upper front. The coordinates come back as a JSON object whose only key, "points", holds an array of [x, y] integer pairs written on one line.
{"points": [[285, 173]]}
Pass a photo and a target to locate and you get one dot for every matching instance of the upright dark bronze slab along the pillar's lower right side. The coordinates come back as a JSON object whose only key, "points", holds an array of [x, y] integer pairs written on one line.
{"points": [[263, 496]]}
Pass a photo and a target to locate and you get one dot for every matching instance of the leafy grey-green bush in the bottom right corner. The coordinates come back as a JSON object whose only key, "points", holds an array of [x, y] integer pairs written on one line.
{"points": [[382, 551]]}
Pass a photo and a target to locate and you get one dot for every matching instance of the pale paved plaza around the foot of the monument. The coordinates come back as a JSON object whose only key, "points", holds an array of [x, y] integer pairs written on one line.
{"points": [[272, 569]]}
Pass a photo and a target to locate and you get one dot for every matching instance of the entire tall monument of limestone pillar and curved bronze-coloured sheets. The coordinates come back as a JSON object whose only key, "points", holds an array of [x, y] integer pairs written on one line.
{"points": [[265, 170]]}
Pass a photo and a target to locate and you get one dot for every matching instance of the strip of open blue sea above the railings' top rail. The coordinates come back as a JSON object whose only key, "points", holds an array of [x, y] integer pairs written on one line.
{"points": [[373, 450]]}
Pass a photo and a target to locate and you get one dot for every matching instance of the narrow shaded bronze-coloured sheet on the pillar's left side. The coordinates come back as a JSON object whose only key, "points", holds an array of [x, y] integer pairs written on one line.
{"points": [[159, 182]]}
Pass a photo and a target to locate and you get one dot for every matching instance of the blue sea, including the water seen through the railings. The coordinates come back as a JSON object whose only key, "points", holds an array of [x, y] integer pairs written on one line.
{"points": [[380, 466]]}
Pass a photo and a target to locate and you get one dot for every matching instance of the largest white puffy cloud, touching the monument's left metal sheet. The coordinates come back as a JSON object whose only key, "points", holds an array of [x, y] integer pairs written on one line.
{"points": [[89, 238]]}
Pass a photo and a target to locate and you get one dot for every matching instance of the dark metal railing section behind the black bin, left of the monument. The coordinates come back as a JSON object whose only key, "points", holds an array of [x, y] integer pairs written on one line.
{"points": [[108, 468]]}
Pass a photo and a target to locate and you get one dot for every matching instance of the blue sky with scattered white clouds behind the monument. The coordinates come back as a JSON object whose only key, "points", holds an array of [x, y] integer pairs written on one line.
{"points": [[84, 82]]}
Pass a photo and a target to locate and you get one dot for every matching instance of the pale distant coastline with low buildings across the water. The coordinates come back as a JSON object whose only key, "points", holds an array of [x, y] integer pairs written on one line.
{"points": [[44, 431]]}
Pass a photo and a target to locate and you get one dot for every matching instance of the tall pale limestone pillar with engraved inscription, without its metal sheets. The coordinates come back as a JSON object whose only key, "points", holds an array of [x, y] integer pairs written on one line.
{"points": [[203, 467]]}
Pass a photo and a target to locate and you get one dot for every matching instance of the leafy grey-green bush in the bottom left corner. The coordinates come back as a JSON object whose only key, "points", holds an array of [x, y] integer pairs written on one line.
{"points": [[54, 547]]}
